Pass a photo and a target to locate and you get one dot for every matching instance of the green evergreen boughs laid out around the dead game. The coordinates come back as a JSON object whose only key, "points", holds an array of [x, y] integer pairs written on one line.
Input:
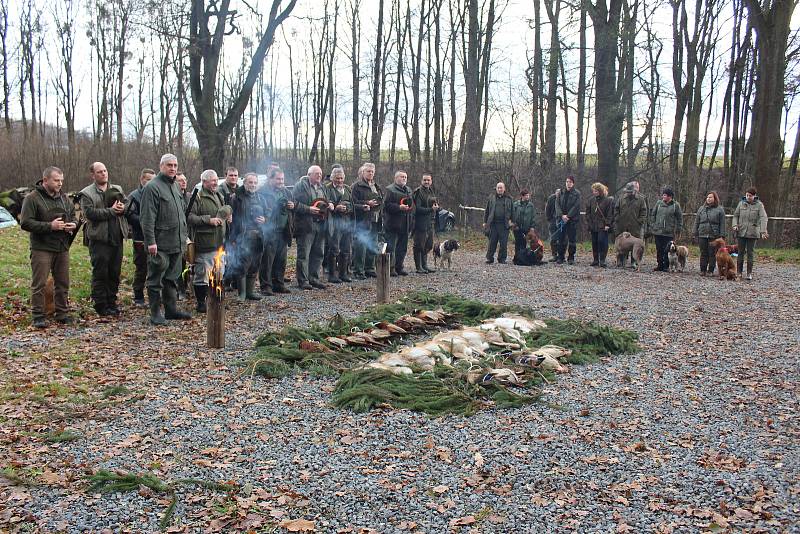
{"points": [[445, 390]]}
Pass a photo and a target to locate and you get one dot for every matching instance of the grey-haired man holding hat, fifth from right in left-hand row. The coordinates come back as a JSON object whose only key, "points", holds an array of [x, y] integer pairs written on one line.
{"points": [[311, 207]]}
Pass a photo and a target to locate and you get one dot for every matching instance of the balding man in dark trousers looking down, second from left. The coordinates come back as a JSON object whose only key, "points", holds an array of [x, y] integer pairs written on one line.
{"points": [[103, 206]]}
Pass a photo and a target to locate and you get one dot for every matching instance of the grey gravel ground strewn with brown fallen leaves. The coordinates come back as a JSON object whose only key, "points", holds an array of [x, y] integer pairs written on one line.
{"points": [[699, 430]]}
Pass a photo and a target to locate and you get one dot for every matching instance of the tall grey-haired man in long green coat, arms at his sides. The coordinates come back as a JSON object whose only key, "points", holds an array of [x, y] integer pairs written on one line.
{"points": [[164, 228]]}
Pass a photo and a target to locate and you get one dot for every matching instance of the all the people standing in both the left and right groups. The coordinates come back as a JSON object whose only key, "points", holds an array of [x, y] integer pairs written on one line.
{"points": [[336, 228]]}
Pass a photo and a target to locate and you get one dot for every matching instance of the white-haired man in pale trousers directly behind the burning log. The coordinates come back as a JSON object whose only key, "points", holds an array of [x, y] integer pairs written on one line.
{"points": [[207, 222]]}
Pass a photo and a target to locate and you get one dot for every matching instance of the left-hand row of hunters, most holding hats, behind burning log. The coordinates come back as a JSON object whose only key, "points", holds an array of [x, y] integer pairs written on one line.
{"points": [[335, 226]]}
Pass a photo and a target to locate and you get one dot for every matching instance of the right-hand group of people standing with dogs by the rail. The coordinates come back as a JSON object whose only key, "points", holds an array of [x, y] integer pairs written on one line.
{"points": [[607, 217]]}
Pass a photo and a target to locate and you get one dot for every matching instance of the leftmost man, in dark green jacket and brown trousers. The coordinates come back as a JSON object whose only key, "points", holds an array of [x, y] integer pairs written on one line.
{"points": [[48, 215]]}
